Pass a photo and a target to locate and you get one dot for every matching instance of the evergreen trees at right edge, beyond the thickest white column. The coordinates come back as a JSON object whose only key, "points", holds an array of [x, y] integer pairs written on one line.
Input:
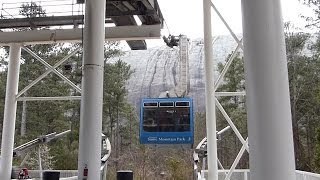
{"points": [[304, 84]]}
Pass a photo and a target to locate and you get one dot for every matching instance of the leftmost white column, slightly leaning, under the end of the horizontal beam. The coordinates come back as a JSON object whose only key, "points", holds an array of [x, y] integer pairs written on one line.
{"points": [[10, 112]]}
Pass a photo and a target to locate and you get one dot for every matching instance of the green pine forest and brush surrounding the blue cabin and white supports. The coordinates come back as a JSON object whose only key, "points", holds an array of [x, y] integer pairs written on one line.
{"points": [[121, 119]]}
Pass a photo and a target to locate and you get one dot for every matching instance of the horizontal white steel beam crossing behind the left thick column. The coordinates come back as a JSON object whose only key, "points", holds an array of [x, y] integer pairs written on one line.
{"points": [[75, 35]]}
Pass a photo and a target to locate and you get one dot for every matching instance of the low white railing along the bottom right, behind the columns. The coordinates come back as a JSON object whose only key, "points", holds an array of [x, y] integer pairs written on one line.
{"points": [[244, 174]]}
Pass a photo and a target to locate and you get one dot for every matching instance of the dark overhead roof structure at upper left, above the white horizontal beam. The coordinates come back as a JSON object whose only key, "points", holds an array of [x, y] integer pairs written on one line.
{"points": [[118, 12]]}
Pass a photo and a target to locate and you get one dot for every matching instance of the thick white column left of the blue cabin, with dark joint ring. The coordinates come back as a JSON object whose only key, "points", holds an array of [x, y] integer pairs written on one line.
{"points": [[92, 91]]}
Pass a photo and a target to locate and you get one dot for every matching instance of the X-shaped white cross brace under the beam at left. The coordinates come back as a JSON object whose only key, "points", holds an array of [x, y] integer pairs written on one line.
{"points": [[50, 69]]}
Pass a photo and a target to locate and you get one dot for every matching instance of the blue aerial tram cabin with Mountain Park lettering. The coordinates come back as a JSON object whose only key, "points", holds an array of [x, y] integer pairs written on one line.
{"points": [[166, 121]]}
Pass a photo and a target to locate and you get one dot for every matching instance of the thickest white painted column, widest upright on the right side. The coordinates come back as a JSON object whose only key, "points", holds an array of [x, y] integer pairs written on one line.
{"points": [[267, 87]]}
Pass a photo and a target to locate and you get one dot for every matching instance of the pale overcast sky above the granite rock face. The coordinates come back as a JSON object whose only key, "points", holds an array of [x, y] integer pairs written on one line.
{"points": [[186, 16]]}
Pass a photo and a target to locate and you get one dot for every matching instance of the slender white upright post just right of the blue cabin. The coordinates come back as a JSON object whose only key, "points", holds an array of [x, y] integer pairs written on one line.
{"points": [[210, 94]]}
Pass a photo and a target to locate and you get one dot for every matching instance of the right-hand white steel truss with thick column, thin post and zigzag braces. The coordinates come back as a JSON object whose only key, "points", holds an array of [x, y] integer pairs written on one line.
{"points": [[268, 107]]}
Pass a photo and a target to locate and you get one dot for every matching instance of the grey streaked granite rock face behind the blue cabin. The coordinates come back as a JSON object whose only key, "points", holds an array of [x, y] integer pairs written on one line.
{"points": [[156, 69]]}
